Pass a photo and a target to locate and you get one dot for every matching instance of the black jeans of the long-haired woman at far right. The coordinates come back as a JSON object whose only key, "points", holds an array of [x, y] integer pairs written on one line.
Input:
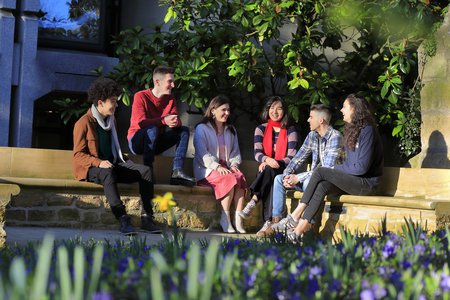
{"points": [[325, 181]]}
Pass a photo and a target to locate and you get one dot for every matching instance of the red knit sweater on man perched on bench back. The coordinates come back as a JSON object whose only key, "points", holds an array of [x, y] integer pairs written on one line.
{"points": [[149, 110]]}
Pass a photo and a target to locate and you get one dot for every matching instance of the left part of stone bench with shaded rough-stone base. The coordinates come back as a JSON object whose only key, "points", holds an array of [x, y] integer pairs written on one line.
{"points": [[49, 196]]}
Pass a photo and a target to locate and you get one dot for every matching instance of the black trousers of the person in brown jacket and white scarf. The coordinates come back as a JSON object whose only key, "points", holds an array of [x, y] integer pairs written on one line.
{"points": [[127, 172]]}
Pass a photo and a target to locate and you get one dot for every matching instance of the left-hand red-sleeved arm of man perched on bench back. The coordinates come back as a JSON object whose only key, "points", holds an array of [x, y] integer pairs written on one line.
{"points": [[139, 112]]}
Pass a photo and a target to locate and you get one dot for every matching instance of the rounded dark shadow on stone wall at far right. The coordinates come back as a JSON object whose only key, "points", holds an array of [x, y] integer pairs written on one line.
{"points": [[437, 153]]}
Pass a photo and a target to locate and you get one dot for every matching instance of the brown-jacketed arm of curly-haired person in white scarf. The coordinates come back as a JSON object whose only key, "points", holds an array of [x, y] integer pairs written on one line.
{"points": [[81, 154]]}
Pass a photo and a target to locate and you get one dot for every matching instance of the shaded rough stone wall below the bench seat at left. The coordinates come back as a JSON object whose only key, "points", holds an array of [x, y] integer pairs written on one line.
{"points": [[196, 209]]}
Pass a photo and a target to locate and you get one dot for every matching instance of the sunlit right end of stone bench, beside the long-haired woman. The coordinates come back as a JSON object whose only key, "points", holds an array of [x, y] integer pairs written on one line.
{"points": [[422, 195]]}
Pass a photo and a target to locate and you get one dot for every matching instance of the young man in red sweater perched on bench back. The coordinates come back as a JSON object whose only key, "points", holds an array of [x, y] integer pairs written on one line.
{"points": [[155, 125]]}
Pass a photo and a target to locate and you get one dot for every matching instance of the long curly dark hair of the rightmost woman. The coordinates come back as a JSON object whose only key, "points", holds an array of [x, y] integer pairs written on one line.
{"points": [[361, 117]]}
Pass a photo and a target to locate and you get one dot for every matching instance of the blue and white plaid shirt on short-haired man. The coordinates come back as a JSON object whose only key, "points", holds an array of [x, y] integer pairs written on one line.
{"points": [[325, 152]]}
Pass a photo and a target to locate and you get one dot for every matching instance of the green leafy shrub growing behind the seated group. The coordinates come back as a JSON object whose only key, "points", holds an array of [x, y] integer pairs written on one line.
{"points": [[307, 51]]}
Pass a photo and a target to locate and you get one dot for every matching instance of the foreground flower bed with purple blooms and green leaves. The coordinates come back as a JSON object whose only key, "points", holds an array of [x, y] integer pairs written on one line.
{"points": [[411, 266]]}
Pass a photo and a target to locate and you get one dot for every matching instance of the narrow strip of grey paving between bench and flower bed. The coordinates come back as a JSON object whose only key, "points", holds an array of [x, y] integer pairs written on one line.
{"points": [[23, 235]]}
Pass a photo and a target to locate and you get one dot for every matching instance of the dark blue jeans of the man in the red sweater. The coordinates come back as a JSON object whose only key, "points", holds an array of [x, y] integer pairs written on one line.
{"points": [[155, 140]]}
